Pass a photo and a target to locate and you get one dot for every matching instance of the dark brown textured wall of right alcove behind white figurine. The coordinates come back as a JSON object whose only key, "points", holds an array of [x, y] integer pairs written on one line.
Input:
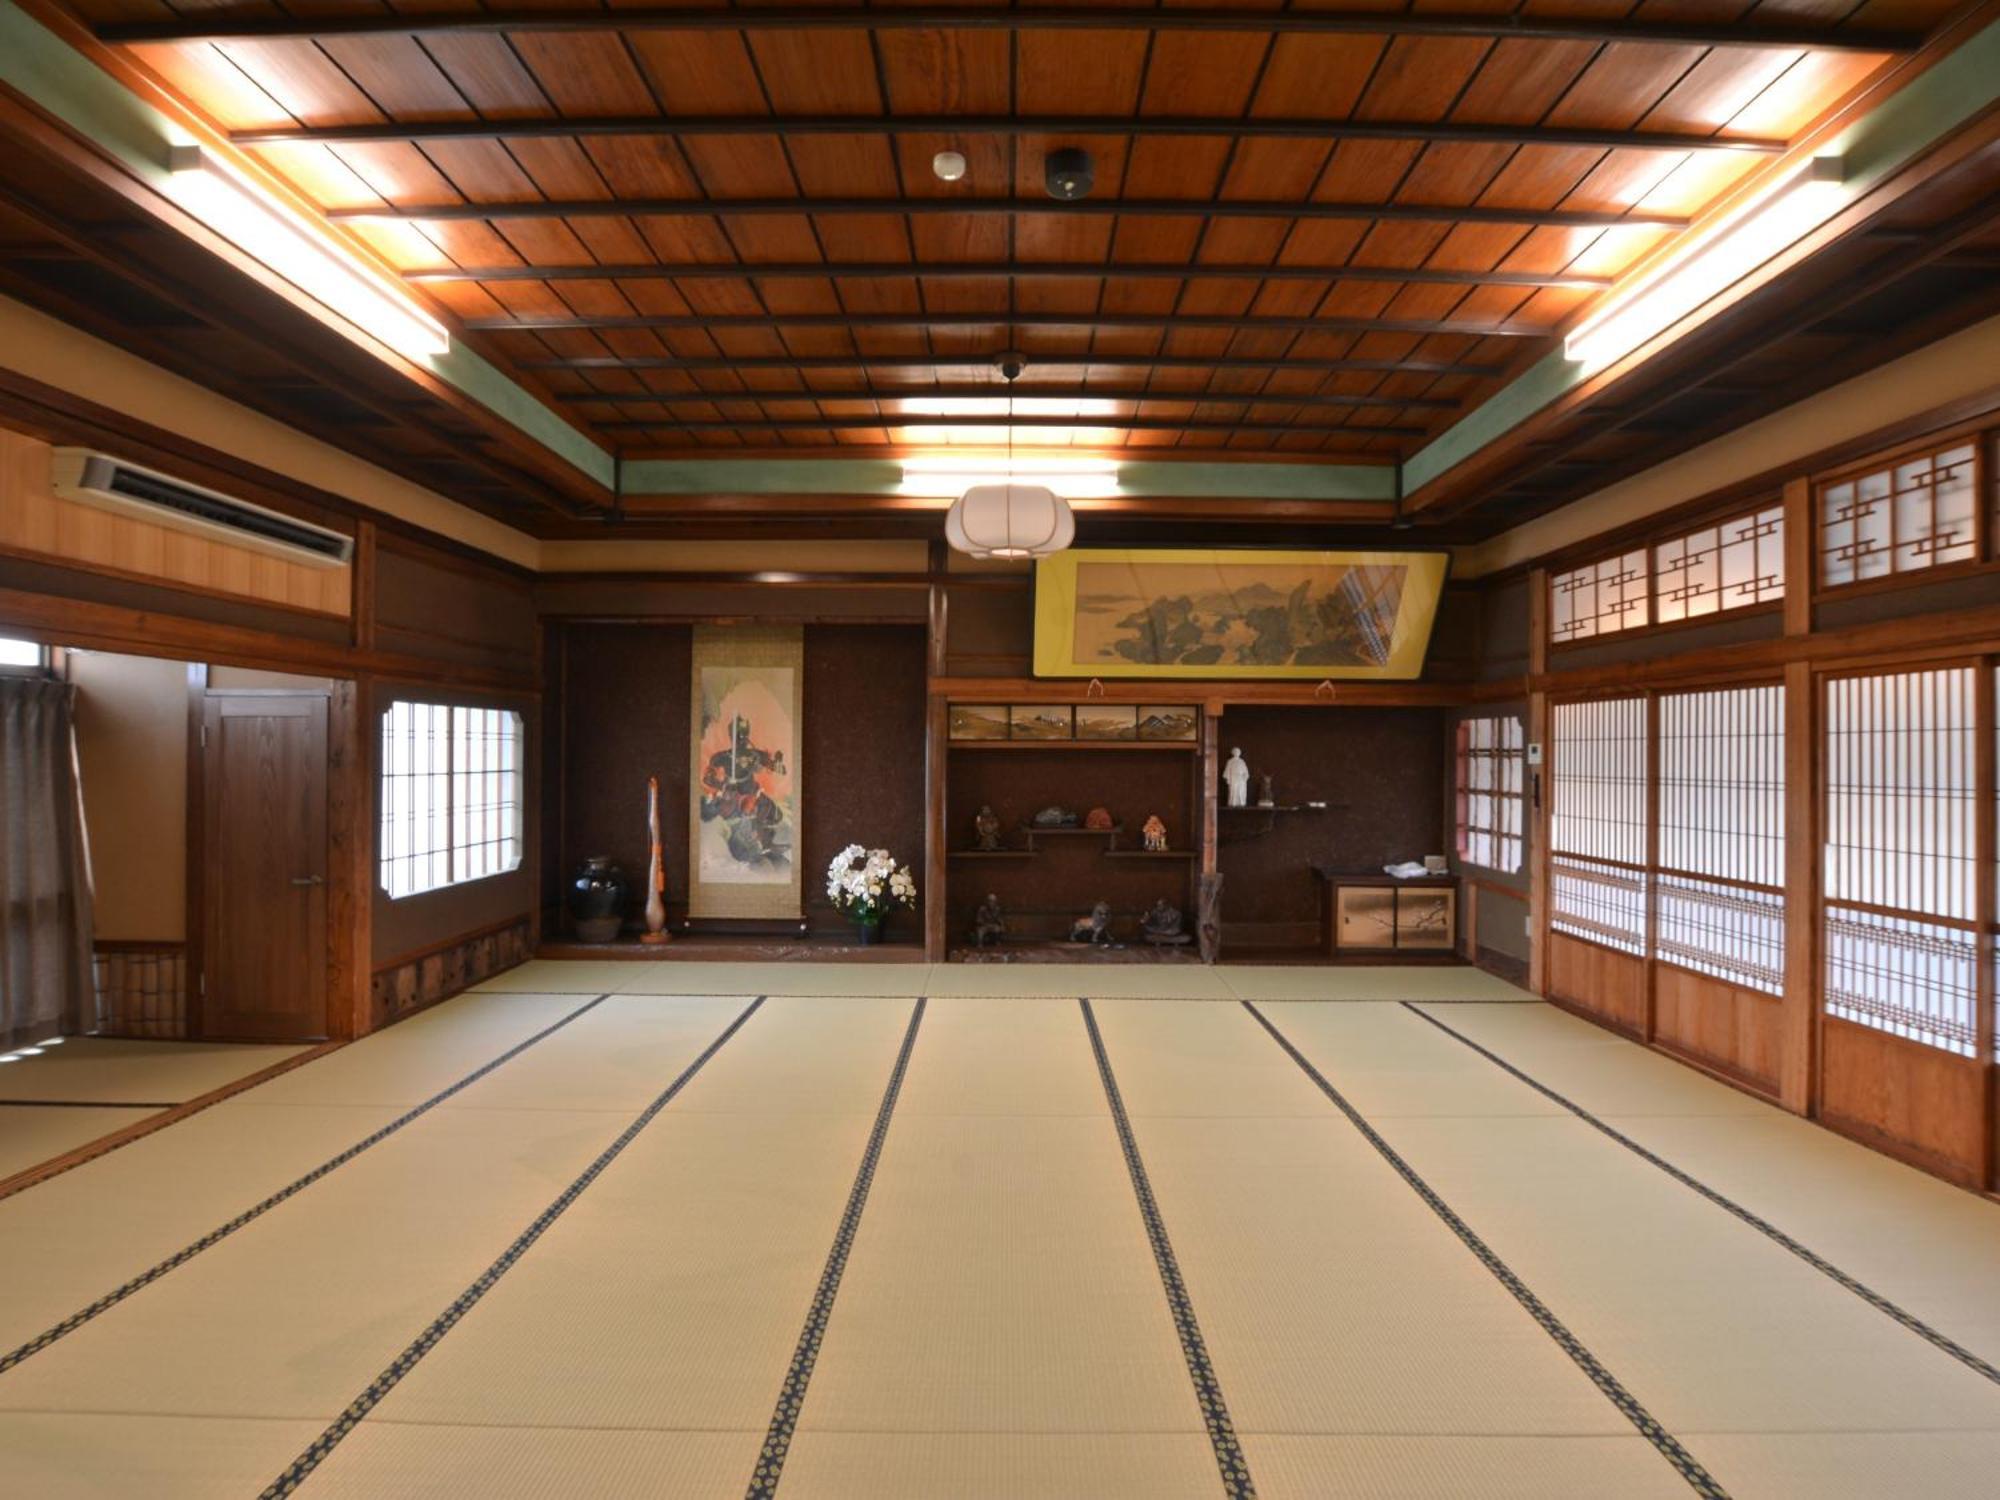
{"points": [[1377, 767]]}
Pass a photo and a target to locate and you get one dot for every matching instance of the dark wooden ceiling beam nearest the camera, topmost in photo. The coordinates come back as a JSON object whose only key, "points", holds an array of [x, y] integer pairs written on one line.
{"points": [[217, 27]]}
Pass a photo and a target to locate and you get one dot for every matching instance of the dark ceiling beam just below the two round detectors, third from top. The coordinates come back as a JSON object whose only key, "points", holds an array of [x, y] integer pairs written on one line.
{"points": [[1589, 219]]}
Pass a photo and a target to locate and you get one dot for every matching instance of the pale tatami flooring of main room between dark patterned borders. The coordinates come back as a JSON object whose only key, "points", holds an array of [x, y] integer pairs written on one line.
{"points": [[1001, 1325]]}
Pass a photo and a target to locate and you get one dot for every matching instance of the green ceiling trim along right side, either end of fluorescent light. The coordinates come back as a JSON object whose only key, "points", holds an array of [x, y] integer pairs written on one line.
{"points": [[1913, 119]]}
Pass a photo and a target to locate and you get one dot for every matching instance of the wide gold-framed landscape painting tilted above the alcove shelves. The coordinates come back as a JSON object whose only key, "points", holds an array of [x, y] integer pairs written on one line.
{"points": [[1245, 613]]}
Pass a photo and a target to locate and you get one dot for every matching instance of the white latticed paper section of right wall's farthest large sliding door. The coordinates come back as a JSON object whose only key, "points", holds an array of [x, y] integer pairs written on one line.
{"points": [[1597, 835]]}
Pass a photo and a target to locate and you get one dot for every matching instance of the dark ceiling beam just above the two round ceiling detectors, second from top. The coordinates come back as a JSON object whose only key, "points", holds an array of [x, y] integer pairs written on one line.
{"points": [[1005, 125]]}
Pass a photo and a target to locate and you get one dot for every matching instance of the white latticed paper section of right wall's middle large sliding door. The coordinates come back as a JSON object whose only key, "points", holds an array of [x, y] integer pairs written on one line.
{"points": [[1721, 899]]}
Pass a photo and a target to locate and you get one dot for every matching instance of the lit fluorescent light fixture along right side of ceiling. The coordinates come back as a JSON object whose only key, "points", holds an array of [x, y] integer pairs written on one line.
{"points": [[1723, 259]]}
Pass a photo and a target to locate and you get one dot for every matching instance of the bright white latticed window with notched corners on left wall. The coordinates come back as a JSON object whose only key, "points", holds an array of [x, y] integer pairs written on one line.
{"points": [[451, 795]]}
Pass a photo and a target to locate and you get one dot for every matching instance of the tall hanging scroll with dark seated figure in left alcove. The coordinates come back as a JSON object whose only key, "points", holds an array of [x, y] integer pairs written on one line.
{"points": [[743, 791]]}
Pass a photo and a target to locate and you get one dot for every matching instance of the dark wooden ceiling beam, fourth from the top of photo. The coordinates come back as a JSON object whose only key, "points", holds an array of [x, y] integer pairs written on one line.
{"points": [[707, 271]]}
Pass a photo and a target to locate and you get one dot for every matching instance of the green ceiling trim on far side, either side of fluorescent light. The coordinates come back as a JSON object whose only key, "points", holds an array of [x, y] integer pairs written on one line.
{"points": [[885, 477]]}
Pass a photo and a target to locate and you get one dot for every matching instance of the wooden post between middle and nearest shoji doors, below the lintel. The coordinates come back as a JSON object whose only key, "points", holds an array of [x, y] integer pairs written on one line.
{"points": [[1801, 1011]]}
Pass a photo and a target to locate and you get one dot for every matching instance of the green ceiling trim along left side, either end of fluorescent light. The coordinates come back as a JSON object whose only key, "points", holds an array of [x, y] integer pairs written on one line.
{"points": [[57, 77]]}
